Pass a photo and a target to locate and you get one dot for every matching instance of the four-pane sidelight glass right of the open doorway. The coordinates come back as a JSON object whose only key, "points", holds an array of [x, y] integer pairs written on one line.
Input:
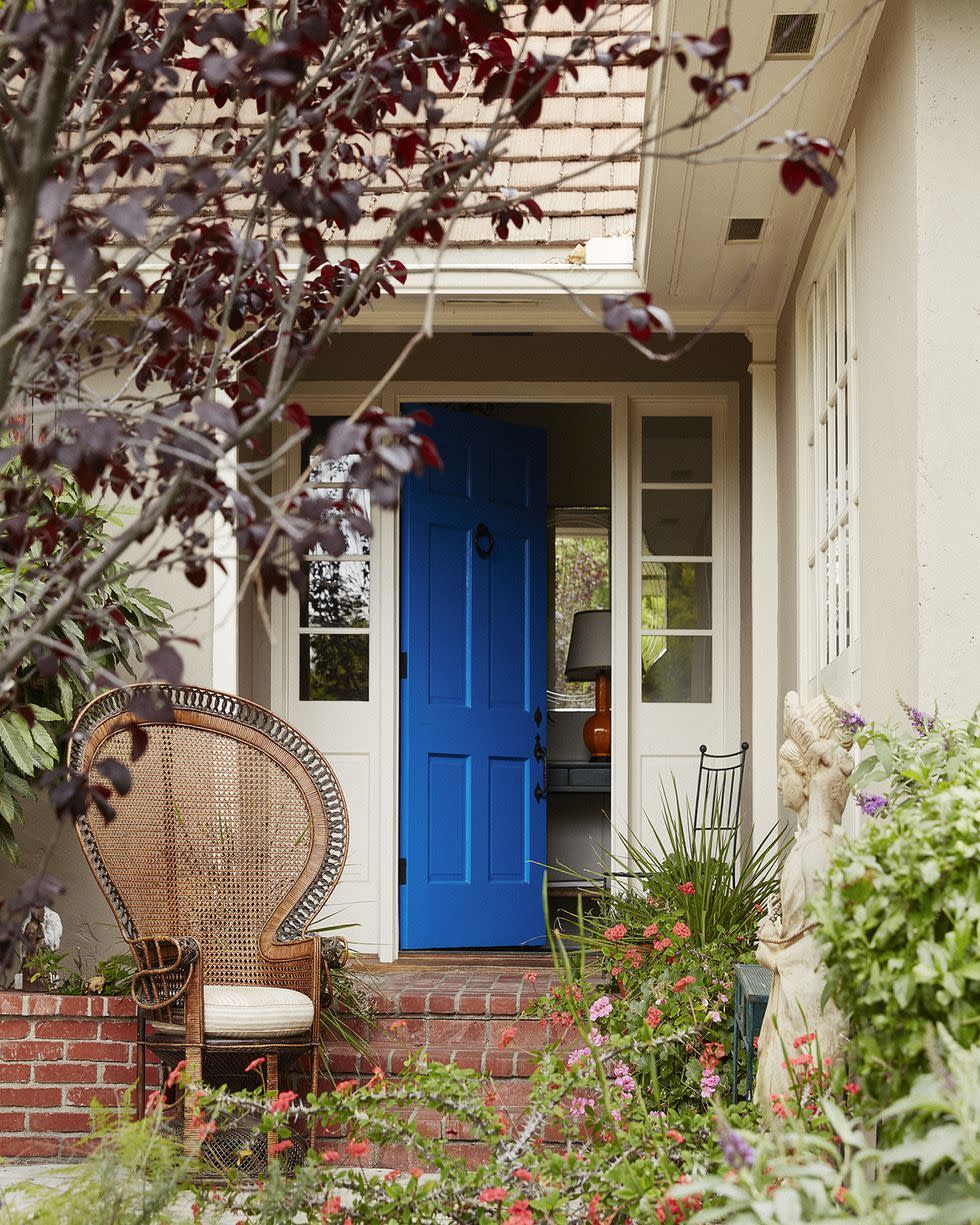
{"points": [[676, 590]]}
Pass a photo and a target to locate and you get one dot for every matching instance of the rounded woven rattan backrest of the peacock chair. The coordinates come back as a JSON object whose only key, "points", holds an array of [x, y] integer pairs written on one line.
{"points": [[235, 829]]}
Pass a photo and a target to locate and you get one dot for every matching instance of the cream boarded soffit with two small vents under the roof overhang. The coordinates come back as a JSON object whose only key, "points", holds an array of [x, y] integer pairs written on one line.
{"points": [[685, 210]]}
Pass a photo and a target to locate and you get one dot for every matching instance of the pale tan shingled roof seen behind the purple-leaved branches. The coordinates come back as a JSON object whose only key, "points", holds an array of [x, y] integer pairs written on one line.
{"points": [[587, 119]]}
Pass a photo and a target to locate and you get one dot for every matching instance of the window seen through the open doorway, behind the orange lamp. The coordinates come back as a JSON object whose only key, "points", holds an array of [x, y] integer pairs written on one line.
{"points": [[581, 545]]}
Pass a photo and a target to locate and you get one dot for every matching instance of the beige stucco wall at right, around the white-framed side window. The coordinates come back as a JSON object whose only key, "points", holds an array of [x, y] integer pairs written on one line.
{"points": [[918, 260]]}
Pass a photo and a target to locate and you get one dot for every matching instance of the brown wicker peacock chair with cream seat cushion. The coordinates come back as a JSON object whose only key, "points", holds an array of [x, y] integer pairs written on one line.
{"points": [[228, 843]]}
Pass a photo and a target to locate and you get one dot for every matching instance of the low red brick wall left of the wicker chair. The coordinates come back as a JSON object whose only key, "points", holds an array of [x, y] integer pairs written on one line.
{"points": [[57, 1055]]}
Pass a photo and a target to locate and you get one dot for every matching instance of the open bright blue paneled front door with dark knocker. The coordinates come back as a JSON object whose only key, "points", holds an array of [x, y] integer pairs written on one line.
{"points": [[473, 689]]}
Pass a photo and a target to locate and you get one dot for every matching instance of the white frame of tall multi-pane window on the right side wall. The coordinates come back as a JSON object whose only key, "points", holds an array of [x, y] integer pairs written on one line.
{"points": [[841, 677]]}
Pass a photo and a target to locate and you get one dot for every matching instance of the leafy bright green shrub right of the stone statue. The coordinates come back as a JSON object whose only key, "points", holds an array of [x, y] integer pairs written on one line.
{"points": [[900, 922]]}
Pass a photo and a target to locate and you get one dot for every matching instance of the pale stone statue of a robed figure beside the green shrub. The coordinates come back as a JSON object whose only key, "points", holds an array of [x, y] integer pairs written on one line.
{"points": [[815, 765]]}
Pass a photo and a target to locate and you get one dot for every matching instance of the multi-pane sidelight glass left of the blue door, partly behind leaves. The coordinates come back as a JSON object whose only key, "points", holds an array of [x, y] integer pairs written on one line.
{"points": [[335, 608]]}
